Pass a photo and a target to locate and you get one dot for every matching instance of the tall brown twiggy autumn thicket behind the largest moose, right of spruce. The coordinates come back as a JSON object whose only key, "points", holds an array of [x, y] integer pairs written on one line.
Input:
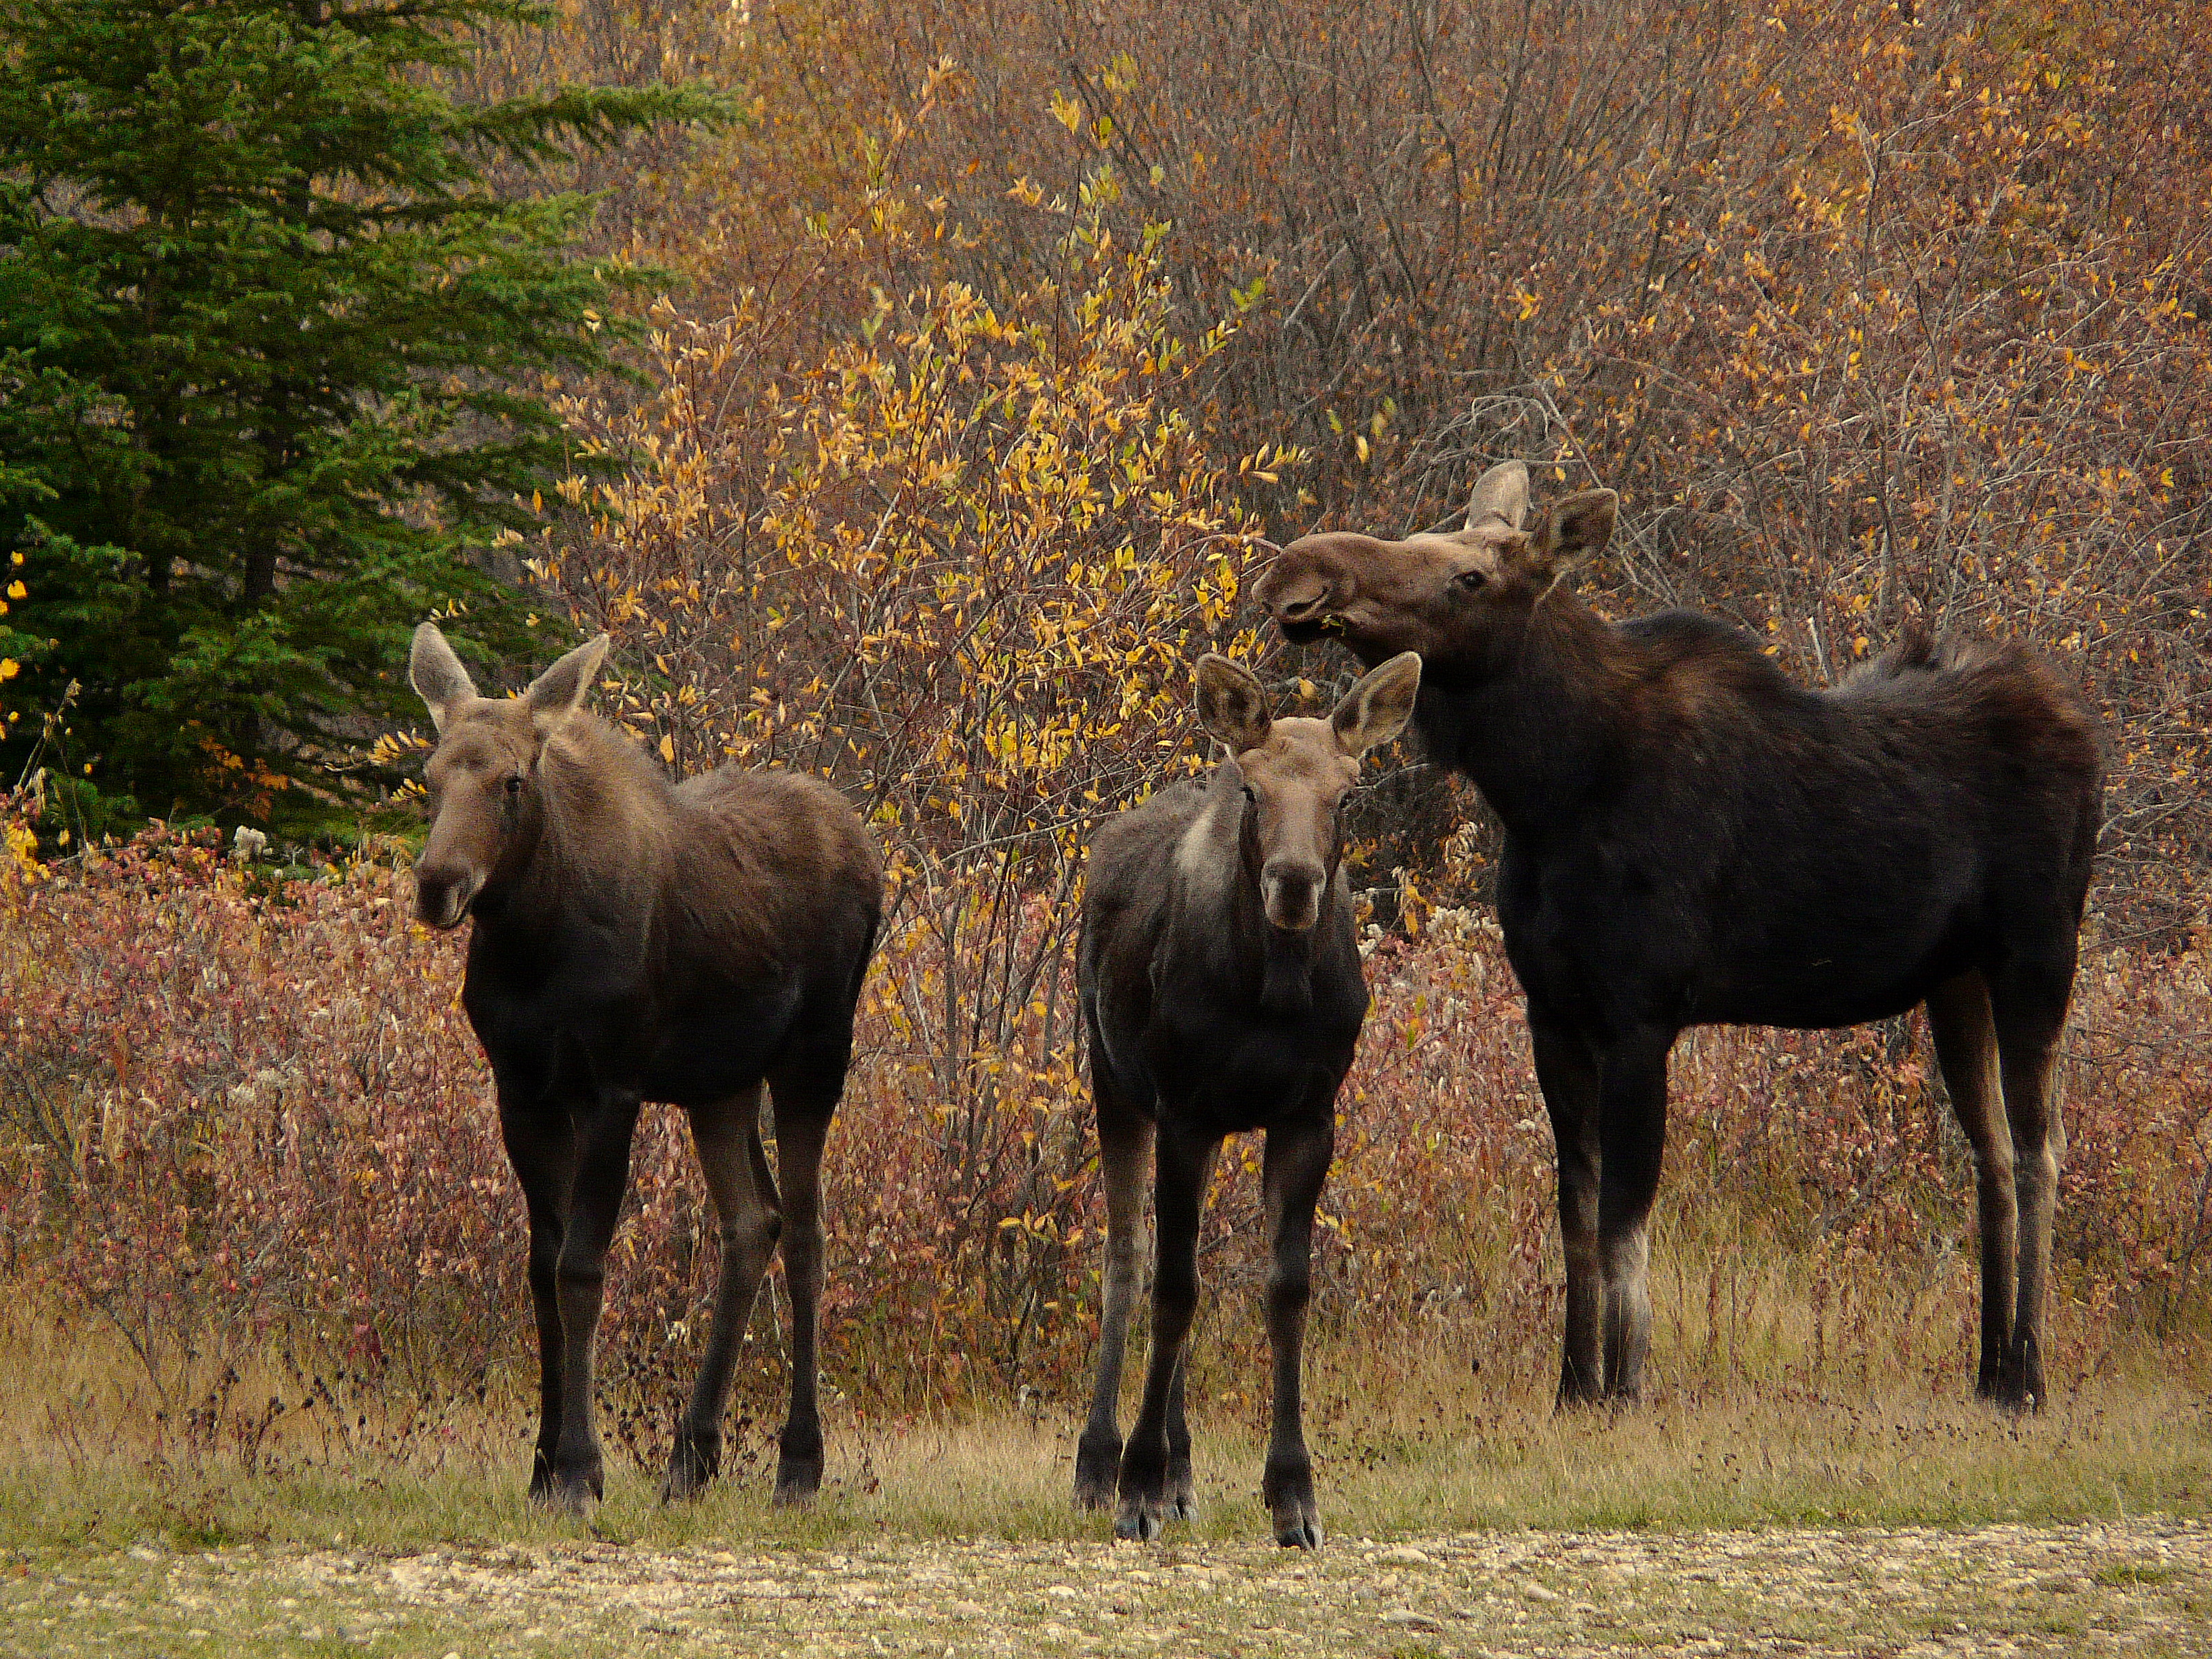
{"points": [[1875, 313]]}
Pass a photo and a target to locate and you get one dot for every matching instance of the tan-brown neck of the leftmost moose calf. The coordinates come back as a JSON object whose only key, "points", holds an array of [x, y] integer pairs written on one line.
{"points": [[601, 835]]}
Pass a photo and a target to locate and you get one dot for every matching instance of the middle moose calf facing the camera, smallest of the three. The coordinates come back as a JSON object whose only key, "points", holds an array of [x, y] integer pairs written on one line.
{"points": [[1222, 992]]}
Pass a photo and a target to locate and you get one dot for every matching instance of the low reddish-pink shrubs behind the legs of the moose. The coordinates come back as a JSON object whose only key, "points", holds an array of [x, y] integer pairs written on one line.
{"points": [[247, 1114]]}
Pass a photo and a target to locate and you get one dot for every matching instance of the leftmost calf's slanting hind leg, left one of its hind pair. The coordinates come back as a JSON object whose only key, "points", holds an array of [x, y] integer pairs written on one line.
{"points": [[729, 1142]]}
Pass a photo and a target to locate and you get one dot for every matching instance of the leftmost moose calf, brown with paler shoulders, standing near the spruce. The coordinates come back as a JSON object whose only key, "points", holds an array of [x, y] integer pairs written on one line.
{"points": [[647, 941]]}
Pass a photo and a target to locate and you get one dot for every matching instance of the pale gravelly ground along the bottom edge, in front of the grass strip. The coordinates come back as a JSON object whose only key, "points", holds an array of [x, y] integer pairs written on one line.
{"points": [[2122, 1587]]}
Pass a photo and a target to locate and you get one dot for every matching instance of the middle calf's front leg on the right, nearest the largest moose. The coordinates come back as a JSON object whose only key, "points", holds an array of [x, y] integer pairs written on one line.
{"points": [[1297, 1167]]}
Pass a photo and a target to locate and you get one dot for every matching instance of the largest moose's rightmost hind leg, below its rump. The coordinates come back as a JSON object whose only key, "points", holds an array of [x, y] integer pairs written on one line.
{"points": [[2030, 1003]]}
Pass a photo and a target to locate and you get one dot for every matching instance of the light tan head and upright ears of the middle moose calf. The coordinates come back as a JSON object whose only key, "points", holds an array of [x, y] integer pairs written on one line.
{"points": [[1300, 771]]}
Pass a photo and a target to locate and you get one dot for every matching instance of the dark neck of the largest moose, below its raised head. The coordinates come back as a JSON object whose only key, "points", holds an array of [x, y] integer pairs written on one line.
{"points": [[1532, 727]]}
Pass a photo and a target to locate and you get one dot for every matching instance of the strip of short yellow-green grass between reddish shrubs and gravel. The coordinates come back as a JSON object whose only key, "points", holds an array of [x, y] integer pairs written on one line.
{"points": [[1395, 1468]]}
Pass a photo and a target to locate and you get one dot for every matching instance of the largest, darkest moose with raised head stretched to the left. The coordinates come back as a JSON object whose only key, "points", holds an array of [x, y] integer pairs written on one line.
{"points": [[1695, 839]]}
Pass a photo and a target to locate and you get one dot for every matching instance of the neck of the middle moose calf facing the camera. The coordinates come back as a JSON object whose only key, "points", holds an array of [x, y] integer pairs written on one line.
{"points": [[1218, 915]]}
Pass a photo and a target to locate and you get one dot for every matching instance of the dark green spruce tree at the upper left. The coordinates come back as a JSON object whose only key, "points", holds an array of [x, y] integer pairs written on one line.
{"points": [[271, 371]]}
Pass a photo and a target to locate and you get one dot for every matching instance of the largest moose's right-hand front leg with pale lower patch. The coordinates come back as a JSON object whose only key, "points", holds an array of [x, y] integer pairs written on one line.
{"points": [[1631, 1151]]}
